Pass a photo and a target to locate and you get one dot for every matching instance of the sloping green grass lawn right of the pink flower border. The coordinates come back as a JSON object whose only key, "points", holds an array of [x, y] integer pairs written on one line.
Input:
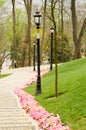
{"points": [[71, 102]]}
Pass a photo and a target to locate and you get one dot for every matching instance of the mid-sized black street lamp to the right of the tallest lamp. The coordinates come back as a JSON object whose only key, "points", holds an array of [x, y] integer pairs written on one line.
{"points": [[51, 52]]}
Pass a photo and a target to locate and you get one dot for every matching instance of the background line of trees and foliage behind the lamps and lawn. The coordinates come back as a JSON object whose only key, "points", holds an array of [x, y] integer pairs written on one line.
{"points": [[18, 31]]}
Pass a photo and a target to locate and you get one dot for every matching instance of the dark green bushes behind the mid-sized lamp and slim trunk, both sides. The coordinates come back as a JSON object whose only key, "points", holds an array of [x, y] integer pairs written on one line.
{"points": [[64, 50]]}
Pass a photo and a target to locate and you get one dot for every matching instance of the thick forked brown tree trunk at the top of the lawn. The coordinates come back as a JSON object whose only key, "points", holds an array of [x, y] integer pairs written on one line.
{"points": [[77, 39]]}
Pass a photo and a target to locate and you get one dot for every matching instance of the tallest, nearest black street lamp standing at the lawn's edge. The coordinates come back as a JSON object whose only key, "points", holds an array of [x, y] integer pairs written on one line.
{"points": [[37, 18]]}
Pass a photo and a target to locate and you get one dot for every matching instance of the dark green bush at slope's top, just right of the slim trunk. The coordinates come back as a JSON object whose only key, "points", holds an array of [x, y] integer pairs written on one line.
{"points": [[64, 51]]}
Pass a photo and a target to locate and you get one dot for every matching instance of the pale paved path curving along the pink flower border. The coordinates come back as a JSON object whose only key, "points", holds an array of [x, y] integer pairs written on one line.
{"points": [[12, 116]]}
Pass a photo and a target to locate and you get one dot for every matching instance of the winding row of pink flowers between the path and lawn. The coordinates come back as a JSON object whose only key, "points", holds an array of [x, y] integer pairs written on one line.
{"points": [[46, 120]]}
